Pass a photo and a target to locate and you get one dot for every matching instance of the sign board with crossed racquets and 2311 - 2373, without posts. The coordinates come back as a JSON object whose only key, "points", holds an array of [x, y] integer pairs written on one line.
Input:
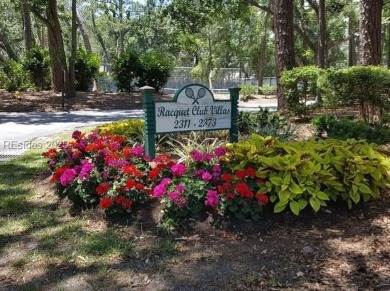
{"points": [[194, 109]]}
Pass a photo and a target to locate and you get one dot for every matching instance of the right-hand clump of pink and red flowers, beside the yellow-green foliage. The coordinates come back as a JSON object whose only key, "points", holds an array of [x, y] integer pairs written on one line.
{"points": [[207, 183]]}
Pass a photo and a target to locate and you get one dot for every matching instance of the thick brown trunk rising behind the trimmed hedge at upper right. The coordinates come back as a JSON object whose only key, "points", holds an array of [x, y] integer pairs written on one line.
{"points": [[370, 31]]}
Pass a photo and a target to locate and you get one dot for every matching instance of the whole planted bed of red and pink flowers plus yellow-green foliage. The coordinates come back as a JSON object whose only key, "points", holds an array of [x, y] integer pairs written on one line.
{"points": [[235, 181]]}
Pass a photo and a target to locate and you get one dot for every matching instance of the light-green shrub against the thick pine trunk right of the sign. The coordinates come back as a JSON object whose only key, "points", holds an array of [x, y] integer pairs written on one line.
{"points": [[300, 84]]}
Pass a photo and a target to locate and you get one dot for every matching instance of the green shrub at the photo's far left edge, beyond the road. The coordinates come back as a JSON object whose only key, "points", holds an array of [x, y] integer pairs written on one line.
{"points": [[14, 77]]}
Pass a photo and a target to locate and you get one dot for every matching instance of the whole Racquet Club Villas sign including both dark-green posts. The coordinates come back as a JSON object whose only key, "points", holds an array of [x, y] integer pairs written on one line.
{"points": [[193, 108]]}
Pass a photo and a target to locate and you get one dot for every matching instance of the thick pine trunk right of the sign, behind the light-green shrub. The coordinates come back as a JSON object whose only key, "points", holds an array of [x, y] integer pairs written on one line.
{"points": [[284, 37]]}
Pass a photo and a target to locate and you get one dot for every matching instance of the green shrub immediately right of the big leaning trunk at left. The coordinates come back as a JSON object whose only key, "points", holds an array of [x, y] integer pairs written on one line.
{"points": [[86, 69]]}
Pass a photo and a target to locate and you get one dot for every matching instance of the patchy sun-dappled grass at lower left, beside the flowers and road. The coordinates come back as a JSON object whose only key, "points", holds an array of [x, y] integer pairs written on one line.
{"points": [[40, 239]]}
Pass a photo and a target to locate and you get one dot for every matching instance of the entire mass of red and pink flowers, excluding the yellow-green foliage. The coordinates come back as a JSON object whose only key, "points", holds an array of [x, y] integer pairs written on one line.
{"points": [[104, 170]]}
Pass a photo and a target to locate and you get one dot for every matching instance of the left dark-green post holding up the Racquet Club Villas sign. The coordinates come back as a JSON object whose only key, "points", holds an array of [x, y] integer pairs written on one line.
{"points": [[150, 120]]}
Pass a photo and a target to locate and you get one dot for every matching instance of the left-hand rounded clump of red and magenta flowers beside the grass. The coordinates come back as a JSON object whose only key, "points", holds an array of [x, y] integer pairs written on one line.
{"points": [[101, 169]]}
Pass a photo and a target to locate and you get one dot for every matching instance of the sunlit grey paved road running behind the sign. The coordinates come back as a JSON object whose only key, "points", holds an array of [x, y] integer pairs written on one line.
{"points": [[22, 131]]}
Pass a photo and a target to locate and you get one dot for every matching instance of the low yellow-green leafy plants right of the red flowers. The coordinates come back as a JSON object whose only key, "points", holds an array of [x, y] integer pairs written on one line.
{"points": [[298, 174]]}
